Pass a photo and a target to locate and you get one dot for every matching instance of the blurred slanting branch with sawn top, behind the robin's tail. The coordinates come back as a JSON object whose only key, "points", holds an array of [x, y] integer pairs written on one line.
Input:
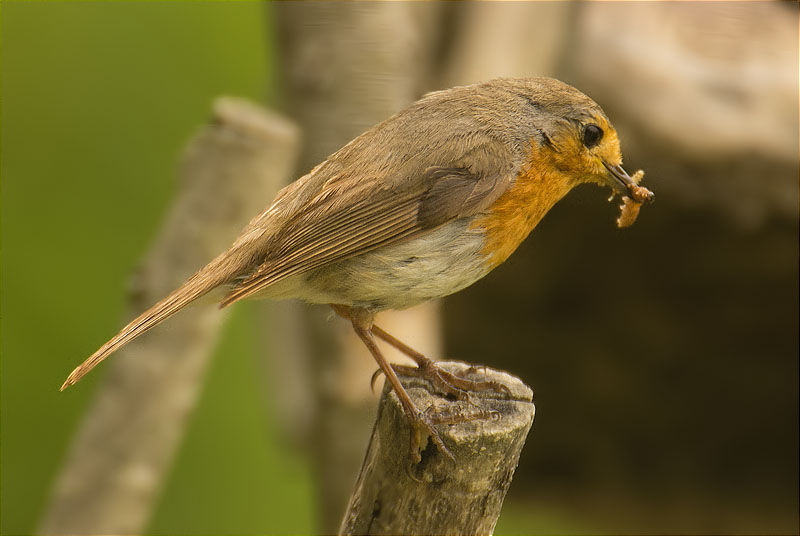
{"points": [[116, 465]]}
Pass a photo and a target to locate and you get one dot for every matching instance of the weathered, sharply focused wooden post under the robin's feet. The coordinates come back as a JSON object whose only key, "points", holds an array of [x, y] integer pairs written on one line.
{"points": [[439, 496]]}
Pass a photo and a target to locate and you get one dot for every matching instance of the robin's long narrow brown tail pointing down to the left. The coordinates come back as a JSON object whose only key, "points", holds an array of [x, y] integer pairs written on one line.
{"points": [[208, 278]]}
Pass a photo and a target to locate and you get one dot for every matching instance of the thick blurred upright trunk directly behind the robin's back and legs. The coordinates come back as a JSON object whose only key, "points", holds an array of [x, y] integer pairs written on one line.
{"points": [[346, 67]]}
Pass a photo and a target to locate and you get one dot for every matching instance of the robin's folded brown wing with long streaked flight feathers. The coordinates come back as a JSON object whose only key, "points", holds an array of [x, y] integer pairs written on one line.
{"points": [[336, 225]]}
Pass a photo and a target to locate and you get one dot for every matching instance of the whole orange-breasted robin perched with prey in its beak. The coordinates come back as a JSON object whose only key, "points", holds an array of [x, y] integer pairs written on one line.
{"points": [[418, 207]]}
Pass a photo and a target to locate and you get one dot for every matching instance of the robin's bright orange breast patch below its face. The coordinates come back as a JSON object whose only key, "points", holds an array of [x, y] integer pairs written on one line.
{"points": [[539, 185]]}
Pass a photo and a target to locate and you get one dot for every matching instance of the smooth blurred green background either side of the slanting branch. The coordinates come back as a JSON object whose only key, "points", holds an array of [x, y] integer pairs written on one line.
{"points": [[98, 99]]}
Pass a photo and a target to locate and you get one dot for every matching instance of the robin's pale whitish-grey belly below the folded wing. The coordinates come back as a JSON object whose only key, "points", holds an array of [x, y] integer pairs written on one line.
{"points": [[434, 265]]}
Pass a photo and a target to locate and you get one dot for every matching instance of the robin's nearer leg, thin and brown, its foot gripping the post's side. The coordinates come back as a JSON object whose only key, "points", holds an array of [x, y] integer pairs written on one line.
{"points": [[362, 324]]}
